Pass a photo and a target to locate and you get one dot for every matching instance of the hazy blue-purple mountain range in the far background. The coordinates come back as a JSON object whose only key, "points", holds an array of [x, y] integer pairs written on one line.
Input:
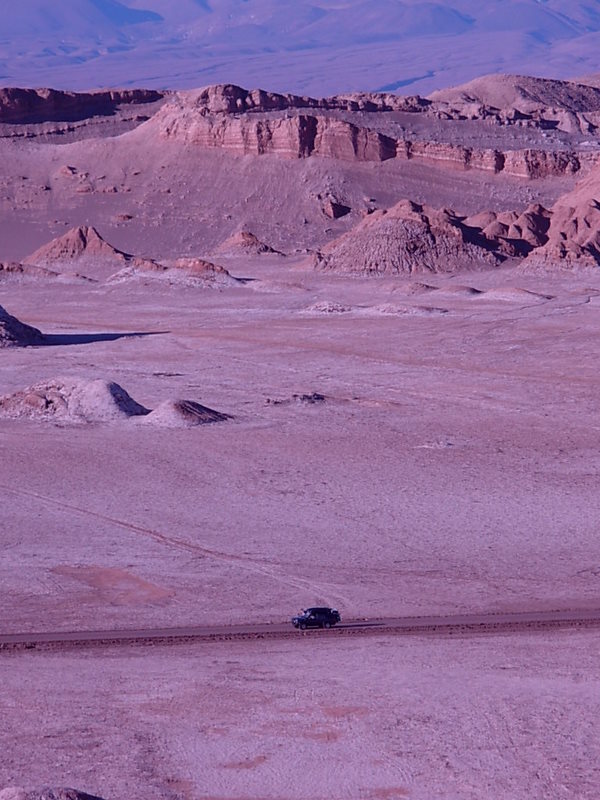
{"points": [[304, 46]]}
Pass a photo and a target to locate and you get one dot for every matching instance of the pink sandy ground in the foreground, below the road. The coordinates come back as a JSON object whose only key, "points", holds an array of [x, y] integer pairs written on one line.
{"points": [[510, 717]]}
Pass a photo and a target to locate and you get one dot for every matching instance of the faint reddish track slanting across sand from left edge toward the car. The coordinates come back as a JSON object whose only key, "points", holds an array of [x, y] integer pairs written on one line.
{"points": [[247, 563]]}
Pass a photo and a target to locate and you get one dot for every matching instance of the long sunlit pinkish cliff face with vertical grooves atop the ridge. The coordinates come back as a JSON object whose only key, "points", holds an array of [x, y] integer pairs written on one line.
{"points": [[258, 123]]}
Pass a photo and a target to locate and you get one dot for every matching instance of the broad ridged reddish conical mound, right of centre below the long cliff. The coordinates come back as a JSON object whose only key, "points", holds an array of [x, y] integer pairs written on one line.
{"points": [[409, 238]]}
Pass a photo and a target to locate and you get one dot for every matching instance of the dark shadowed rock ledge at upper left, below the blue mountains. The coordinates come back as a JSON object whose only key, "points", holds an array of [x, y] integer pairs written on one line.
{"points": [[21, 106]]}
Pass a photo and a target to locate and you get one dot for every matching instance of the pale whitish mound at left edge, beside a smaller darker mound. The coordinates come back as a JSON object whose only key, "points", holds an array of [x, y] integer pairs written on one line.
{"points": [[68, 400]]}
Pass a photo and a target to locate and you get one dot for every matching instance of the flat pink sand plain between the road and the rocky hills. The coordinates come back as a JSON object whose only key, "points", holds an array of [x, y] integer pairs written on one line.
{"points": [[452, 467]]}
